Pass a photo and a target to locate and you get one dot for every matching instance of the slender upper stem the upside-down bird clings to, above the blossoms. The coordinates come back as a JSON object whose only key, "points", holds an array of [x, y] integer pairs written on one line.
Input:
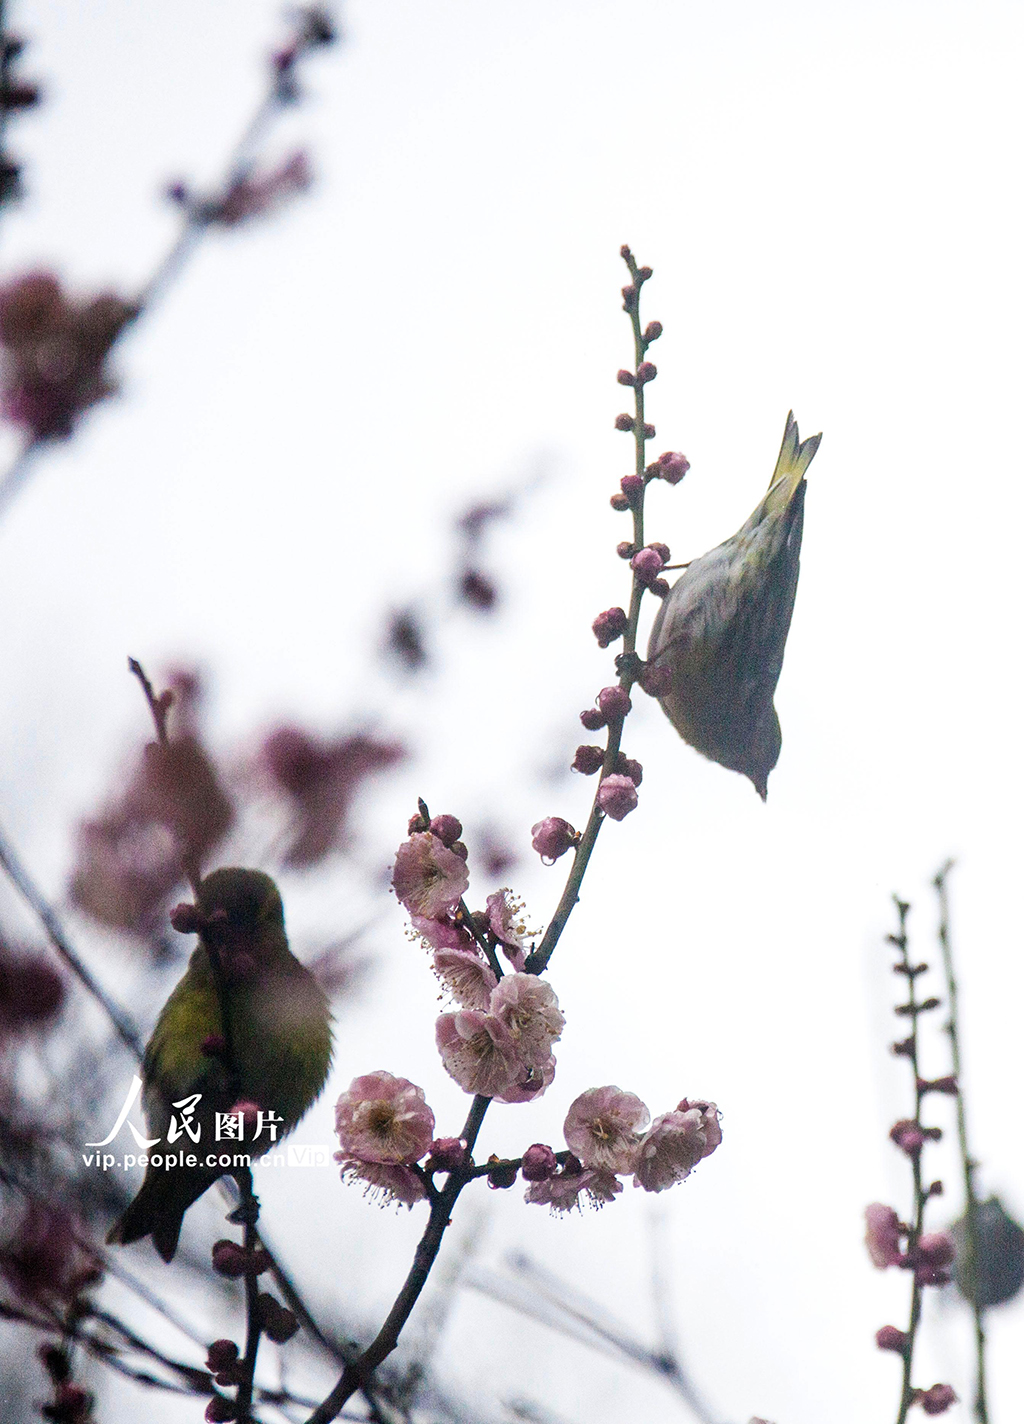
{"points": [[540, 958]]}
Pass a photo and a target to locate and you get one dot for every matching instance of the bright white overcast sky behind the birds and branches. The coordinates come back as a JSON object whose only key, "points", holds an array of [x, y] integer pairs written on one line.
{"points": [[830, 197]]}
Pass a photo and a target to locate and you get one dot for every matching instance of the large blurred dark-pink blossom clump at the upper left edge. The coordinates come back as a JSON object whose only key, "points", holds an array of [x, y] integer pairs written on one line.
{"points": [[53, 352]]}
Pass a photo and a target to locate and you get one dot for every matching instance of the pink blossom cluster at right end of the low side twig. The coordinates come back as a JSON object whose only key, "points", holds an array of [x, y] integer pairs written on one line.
{"points": [[610, 1136]]}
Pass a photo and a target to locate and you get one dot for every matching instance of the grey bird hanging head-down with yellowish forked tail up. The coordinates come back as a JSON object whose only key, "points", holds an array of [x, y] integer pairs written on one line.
{"points": [[721, 630]]}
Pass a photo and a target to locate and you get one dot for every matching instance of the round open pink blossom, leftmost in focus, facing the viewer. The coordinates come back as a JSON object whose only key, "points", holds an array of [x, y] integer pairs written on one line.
{"points": [[384, 1120]]}
